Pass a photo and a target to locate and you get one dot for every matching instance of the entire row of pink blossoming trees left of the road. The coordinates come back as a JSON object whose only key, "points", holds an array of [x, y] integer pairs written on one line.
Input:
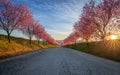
{"points": [[19, 17]]}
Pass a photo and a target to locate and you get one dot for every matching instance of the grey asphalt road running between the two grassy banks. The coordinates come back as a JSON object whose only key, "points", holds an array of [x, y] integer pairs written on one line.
{"points": [[58, 61]]}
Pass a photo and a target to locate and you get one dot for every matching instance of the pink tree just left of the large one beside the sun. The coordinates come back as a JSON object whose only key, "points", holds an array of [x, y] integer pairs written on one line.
{"points": [[85, 27]]}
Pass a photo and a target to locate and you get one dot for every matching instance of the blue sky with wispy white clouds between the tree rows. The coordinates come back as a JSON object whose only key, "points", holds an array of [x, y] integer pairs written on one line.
{"points": [[57, 16]]}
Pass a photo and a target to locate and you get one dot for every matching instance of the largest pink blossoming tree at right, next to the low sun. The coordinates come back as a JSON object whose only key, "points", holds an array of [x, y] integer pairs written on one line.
{"points": [[103, 13]]}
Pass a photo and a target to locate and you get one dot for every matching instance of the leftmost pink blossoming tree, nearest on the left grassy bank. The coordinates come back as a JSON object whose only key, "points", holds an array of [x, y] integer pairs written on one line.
{"points": [[12, 16]]}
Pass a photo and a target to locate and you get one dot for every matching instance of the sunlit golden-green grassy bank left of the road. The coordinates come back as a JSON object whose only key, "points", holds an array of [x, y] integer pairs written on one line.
{"points": [[19, 46]]}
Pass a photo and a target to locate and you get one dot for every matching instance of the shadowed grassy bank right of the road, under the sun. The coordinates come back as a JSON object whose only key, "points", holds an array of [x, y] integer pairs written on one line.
{"points": [[107, 49]]}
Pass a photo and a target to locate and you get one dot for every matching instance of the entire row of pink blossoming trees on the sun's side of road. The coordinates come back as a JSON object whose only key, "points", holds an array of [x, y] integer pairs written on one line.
{"points": [[98, 20]]}
